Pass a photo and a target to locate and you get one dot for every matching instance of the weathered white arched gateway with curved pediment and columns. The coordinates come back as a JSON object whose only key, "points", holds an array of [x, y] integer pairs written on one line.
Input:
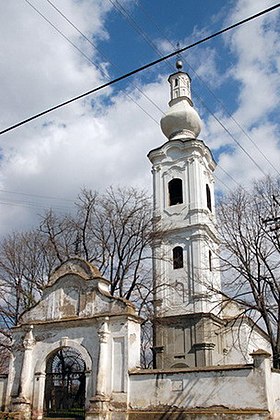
{"points": [[72, 350]]}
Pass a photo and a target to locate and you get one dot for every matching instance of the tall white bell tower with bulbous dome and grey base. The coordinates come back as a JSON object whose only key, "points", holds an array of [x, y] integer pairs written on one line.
{"points": [[185, 263]]}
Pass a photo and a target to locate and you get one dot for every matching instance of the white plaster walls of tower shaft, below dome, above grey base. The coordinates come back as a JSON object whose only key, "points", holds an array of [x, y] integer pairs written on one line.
{"points": [[190, 225]]}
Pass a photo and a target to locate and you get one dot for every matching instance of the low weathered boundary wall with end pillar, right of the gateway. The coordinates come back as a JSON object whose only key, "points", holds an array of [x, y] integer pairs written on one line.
{"points": [[234, 390]]}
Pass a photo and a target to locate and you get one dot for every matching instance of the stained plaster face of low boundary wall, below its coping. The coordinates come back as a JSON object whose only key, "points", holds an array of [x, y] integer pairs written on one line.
{"points": [[199, 388]]}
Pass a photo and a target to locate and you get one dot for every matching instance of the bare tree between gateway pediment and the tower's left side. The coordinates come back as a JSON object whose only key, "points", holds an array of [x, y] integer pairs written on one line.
{"points": [[112, 231]]}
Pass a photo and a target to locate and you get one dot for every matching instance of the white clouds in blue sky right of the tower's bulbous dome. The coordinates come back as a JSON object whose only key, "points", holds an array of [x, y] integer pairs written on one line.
{"points": [[254, 74]]}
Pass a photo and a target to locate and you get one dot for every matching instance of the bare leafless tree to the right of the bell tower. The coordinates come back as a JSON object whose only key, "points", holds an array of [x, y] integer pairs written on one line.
{"points": [[251, 255]]}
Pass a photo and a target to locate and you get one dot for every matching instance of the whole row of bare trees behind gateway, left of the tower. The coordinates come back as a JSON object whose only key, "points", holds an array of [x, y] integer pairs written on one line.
{"points": [[113, 231]]}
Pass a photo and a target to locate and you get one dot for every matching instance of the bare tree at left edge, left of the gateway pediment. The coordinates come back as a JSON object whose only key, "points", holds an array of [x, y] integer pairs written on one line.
{"points": [[25, 264]]}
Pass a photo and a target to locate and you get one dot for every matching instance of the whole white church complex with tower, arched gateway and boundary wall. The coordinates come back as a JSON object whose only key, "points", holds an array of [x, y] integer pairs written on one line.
{"points": [[76, 353]]}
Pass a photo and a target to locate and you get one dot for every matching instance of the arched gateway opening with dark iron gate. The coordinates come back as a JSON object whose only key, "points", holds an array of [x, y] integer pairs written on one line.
{"points": [[65, 384]]}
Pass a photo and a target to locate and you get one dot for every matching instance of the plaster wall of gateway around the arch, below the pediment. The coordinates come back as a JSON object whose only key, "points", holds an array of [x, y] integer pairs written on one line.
{"points": [[83, 336]]}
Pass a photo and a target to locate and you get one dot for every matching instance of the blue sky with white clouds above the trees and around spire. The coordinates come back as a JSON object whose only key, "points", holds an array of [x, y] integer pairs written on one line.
{"points": [[53, 50]]}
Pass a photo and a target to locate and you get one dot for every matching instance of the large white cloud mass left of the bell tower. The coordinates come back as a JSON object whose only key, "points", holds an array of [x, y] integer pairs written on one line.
{"points": [[95, 142]]}
